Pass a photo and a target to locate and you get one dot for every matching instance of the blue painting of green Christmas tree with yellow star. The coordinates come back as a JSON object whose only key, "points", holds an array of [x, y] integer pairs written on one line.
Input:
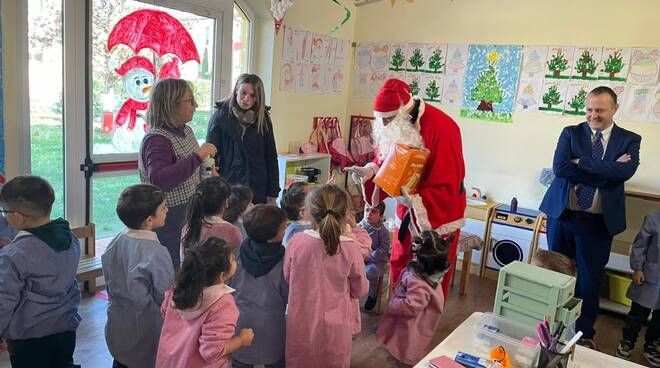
{"points": [[491, 82]]}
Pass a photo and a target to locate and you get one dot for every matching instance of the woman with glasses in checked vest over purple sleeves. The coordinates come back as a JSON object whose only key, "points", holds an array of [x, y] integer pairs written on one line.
{"points": [[170, 156]]}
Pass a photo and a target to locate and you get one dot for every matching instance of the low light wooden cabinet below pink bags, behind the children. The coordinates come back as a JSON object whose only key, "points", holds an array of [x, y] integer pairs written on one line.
{"points": [[290, 164]]}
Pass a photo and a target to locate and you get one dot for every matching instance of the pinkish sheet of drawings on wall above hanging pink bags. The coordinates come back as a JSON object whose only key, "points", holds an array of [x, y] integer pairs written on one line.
{"points": [[312, 62]]}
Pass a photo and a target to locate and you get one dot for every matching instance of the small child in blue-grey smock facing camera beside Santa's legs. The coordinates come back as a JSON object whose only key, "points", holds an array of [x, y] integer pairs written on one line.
{"points": [[380, 249]]}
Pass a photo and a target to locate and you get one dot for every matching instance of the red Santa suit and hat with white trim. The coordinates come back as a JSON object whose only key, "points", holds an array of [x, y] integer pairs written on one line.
{"points": [[439, 203]]}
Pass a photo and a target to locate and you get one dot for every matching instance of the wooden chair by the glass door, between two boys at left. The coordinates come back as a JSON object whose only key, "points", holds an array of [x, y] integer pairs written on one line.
{"points": [[89, 267]]}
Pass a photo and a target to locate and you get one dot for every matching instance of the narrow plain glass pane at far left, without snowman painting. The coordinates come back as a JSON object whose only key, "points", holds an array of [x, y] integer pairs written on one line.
{"points": [[45, 55]]}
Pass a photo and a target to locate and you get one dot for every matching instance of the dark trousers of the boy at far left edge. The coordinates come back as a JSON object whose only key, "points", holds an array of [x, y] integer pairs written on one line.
{"points": [[53, 351]]}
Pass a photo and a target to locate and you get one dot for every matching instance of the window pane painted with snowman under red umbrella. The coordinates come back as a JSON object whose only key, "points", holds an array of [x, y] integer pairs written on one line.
{"points": [[126, 65]]}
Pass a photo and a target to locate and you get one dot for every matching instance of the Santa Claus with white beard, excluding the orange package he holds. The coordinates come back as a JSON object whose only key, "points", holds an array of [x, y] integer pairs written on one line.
{"points": [[439, 203]]}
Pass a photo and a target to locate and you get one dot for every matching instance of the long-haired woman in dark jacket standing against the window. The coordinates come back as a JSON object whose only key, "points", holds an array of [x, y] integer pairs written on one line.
{"points": [[242, 131]]}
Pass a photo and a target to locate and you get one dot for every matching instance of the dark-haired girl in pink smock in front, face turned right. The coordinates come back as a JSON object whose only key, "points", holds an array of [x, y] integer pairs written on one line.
{"points": [[199, 311]]}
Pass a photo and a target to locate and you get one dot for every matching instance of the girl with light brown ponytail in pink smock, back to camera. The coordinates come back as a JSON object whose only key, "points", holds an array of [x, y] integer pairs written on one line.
{"points": [[325, 271]]}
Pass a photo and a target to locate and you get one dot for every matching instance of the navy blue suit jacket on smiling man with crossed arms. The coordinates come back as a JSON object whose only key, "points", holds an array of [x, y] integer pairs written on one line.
{"points": [[606, 174]]}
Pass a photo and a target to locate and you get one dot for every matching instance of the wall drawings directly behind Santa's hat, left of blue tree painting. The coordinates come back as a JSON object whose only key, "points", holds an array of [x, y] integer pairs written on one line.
{"points": [[422, 66]]}
